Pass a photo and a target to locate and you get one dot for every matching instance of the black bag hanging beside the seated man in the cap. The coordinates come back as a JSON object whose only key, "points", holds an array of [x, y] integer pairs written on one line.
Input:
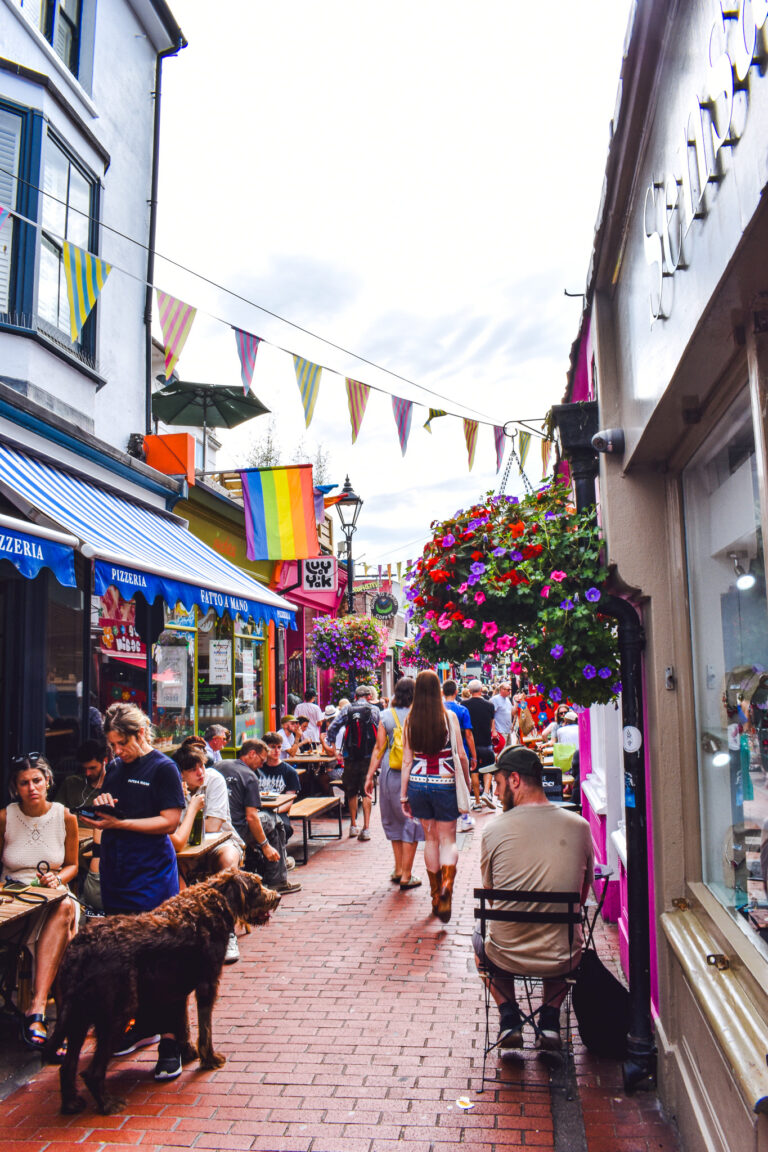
{"points": [[602, 1006]]}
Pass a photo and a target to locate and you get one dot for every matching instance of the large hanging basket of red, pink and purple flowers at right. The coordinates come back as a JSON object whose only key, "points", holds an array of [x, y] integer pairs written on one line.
{"points": [[522, 578]]}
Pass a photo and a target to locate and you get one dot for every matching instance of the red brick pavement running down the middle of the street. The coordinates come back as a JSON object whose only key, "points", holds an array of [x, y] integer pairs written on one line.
{"points": [[353, 1024]]}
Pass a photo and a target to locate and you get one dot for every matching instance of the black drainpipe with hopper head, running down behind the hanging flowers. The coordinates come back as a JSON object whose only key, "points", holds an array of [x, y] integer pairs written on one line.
{"points": [[577, 425]]}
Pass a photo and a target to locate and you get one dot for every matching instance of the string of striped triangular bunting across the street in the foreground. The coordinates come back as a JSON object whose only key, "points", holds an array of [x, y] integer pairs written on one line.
{"points": [[87, 276]]}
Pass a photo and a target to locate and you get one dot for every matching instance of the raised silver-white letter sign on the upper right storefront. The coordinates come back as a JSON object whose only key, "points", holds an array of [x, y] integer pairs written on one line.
{"points": [[716, 120]]}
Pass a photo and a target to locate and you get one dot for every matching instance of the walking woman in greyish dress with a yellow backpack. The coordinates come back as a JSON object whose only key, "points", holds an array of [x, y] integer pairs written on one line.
{"points": [[404, 832]]}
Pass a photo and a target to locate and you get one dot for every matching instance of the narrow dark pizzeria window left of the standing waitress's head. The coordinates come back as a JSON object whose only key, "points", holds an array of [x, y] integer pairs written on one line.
{"points": [[64, 671]]}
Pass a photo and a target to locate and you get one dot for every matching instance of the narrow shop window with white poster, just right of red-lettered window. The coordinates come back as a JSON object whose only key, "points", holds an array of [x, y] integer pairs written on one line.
{"points": [[173, 679]]}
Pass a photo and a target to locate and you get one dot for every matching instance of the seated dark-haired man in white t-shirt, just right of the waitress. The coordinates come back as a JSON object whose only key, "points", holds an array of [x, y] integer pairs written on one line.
{"points": [[206, 789]]}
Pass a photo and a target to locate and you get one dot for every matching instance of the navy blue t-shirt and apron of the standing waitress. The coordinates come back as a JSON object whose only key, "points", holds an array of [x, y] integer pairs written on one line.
{"points": [[140, 871]]}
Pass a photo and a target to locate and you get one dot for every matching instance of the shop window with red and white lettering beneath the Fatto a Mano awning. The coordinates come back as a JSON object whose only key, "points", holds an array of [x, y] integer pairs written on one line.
{"points": [[118, 651]]}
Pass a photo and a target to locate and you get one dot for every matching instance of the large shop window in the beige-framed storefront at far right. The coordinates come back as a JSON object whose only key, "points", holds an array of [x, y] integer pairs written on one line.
{"points": [[729, 627]]}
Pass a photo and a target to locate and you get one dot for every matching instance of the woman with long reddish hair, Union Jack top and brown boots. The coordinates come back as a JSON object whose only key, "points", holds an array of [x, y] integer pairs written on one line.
{"points": [[434, 753]]}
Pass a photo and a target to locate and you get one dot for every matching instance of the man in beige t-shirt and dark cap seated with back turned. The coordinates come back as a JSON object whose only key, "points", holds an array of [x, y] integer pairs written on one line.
{"points": [[536, 846]]}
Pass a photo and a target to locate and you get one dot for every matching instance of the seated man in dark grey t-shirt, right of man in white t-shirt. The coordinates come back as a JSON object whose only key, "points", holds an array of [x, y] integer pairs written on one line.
{"points": [[263, 832]]}
